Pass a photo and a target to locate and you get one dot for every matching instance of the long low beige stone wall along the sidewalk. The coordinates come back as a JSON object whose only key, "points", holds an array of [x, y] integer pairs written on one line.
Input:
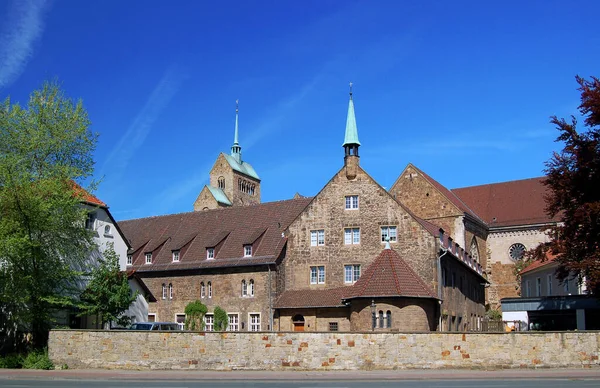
{"points": [[321, 351]]}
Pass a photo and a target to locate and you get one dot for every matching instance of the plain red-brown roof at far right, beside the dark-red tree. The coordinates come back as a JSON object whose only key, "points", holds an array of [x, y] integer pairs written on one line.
{"points": [[512, 203]]}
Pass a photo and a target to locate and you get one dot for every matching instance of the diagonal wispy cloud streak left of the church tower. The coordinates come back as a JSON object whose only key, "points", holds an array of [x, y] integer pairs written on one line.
{"points": [[137, 132]]}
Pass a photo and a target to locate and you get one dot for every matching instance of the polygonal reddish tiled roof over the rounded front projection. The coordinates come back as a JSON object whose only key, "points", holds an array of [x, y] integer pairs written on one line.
{"points": [[389, 276]]}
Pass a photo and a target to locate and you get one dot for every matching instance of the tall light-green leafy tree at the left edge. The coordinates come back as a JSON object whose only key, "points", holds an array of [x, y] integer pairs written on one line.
{"points": [[44, 148]]}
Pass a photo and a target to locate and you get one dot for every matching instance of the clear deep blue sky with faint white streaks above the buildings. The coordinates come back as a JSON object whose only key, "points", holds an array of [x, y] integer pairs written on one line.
{"points": [[461, 89]]}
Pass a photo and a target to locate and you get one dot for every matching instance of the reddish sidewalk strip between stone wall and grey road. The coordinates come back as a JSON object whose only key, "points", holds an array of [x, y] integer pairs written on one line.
{"points": [[411, 374]]}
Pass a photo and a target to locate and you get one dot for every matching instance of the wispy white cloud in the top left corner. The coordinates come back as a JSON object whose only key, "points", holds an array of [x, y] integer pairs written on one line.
{"points": [[22, 28]]}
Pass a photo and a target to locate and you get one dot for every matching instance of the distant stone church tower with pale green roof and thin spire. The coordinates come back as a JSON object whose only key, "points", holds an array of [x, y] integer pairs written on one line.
{"points": [[233, 182]]}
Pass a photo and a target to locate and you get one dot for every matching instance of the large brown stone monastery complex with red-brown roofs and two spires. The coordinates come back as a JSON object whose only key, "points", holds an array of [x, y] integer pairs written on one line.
{"points": [[355, 257]]}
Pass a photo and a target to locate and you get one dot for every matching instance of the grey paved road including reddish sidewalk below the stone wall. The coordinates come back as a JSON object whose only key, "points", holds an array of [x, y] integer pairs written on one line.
{"points": [[545, 378]]}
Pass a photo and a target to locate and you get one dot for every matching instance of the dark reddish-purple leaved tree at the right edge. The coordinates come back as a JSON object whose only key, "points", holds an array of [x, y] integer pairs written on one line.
{"points": [[573, 178]]}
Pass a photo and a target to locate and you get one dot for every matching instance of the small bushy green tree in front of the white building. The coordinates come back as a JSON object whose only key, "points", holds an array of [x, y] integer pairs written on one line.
{"points": [[107, 294]]}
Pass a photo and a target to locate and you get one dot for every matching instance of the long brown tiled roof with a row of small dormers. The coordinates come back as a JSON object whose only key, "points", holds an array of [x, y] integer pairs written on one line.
{"points": [[226, 230]]}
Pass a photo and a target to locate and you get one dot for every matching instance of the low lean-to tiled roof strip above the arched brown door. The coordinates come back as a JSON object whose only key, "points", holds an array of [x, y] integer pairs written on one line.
{"points": [[312, 298]]}
